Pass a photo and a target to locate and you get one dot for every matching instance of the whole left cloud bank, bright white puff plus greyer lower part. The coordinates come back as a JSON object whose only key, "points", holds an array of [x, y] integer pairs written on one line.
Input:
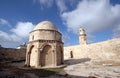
{"points": [[17, 34]]}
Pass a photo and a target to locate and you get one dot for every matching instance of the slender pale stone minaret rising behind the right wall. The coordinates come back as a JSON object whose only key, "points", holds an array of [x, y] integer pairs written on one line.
{"points": [[82, 36]]}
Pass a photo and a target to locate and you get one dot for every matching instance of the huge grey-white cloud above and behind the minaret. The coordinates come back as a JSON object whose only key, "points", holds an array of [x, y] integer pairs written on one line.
{"points": [[92, 15]]}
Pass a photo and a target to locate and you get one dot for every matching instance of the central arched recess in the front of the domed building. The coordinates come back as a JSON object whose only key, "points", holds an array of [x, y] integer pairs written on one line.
{"points": [[46, 56]]}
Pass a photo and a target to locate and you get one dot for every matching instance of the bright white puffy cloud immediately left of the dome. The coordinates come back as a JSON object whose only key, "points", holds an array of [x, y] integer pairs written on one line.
{"points": [[22, 29]]}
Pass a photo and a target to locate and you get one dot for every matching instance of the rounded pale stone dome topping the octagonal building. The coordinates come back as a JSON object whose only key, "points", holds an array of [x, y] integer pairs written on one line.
{"points": [[47, 25]]}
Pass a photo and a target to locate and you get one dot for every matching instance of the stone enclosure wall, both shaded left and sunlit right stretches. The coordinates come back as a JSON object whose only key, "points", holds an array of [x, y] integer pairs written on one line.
{"points": [[103, 50]]}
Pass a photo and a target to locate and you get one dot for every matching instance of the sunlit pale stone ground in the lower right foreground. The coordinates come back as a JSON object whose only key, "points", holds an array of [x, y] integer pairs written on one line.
{"points": [[95, 68]]}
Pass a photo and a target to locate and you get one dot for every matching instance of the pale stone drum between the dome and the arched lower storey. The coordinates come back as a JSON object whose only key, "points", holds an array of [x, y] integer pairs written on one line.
{"points": [[45, 35]]}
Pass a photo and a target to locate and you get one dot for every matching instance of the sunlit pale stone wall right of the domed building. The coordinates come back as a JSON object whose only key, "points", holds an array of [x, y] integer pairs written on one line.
{"points": [[103, 50]]}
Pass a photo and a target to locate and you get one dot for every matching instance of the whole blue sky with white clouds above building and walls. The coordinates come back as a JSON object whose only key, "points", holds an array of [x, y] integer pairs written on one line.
{"points": [[100, 19]]}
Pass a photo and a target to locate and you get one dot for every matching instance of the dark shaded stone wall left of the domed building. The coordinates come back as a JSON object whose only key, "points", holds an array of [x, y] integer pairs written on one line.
{"points": [[10, 54]]}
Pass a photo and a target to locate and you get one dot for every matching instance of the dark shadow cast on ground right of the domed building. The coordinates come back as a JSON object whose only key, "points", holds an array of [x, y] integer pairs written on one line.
{"points": [[76, 61]]}
